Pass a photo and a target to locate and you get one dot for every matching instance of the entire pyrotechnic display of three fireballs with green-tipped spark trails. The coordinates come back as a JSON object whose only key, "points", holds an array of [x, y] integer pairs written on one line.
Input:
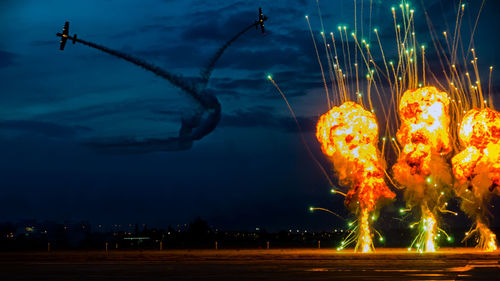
{"points": [[422, 115]]}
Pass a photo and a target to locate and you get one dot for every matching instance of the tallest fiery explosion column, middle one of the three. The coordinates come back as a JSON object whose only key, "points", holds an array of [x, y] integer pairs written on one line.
{"points": [[421, 167]]}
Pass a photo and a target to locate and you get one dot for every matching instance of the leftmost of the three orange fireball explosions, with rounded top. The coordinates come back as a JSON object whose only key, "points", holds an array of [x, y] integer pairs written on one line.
{"points": [[349, 135]]}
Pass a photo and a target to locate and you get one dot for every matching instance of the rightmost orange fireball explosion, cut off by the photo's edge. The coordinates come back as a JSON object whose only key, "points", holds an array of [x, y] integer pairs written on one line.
{"points": [[477, 170]]}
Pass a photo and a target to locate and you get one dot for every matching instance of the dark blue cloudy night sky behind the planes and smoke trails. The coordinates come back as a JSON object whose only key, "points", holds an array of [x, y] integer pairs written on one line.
{"points": [[251, 171]]}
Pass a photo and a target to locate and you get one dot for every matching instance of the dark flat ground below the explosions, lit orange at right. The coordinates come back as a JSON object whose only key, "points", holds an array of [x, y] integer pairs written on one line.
{"points": [[393, 264]]}
